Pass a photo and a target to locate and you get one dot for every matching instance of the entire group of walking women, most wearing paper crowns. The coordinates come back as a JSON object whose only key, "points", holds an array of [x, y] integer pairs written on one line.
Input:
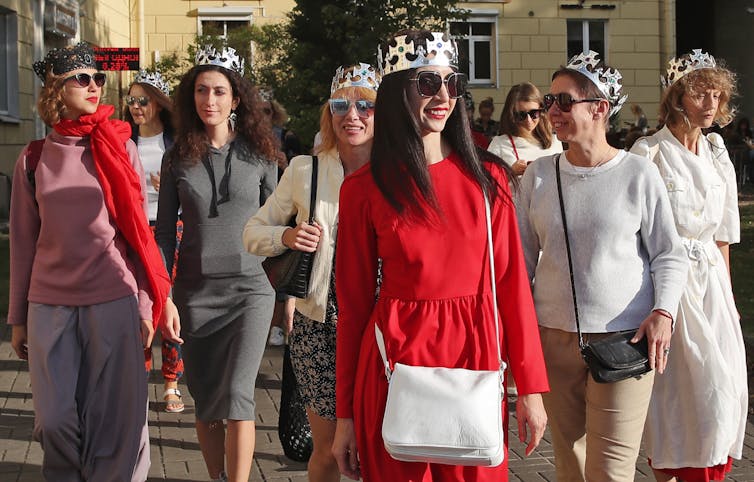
{"points": [[404, 181]]}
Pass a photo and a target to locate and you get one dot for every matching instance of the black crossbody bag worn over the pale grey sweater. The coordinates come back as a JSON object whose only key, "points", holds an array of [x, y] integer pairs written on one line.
{"points": [[613, 358]]}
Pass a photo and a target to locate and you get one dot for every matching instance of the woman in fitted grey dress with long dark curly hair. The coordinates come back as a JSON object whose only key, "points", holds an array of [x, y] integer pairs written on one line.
{"points": [[219, 171]]}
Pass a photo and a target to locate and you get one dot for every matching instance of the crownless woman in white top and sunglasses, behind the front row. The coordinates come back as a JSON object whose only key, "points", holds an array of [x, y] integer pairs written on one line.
{"points": [[525, 130]]}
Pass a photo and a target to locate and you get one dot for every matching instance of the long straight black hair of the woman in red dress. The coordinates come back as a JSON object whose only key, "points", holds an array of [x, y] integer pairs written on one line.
{"points": [[398, 164]]}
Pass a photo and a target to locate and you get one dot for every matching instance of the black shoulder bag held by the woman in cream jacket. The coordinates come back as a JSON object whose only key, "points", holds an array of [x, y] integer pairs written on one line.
{"points": [[289, 273]]}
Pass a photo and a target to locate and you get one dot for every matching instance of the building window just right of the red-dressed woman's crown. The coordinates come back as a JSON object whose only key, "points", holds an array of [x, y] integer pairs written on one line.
{"points": [[476, 44]]}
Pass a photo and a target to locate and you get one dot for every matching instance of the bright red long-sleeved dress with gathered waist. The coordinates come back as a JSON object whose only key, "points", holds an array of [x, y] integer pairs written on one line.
{"points": [[434, 306]]}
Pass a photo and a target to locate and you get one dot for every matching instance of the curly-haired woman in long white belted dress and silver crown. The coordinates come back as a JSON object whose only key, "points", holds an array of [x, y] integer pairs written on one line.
{"points": [[696, 439]]}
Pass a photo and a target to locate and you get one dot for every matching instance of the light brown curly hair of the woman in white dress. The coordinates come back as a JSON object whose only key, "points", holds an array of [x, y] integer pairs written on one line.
{"points": [[719, 78]]}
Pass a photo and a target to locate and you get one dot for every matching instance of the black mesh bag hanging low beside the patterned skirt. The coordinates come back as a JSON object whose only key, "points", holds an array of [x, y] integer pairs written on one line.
{"points": [[293, 425]]}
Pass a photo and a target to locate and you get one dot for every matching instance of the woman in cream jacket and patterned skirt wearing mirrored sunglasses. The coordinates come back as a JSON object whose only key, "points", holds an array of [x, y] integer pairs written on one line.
{"points": [[346, 127]]}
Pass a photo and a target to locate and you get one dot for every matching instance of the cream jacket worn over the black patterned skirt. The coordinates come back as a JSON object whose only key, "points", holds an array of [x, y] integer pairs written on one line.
{"points": [[263, 233]]}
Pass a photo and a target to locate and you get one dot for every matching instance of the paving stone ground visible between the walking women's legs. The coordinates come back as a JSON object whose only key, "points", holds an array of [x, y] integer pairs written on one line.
{"points": [[175, 450]]}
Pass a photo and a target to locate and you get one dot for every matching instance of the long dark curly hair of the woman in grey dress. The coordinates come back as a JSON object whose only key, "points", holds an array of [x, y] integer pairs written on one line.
{"points": [[192, 142]]}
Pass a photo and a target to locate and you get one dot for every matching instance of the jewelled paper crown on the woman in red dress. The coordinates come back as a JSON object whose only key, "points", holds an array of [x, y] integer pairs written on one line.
{"points": [[403, 53]]}
